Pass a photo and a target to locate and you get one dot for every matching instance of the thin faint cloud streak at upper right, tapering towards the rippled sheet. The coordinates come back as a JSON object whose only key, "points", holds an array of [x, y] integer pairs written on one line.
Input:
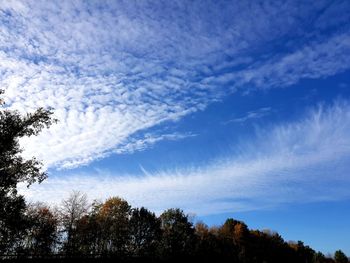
{"points": [[312, 61]]}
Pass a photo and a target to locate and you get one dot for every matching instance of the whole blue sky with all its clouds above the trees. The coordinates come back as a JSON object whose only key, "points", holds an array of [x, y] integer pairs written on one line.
{"points": [[222, 108]]}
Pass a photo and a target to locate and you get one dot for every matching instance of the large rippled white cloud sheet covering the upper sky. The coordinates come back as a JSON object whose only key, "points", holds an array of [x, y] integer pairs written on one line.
{"points": [[116, 69]]}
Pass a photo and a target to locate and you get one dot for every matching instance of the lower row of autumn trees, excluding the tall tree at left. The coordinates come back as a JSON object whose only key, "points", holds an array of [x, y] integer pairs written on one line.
{"points": [[113, 229]]}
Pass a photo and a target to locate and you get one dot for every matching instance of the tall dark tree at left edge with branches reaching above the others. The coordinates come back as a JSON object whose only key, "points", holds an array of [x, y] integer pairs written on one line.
{"points": [[15, 169]]}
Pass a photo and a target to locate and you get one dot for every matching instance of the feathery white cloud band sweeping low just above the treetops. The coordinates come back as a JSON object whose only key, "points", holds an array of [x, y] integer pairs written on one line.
{"points": [[302, 161]]}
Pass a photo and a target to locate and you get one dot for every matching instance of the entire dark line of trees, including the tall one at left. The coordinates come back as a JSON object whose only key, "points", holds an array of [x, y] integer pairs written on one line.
{"points": [[113, 230]]}
